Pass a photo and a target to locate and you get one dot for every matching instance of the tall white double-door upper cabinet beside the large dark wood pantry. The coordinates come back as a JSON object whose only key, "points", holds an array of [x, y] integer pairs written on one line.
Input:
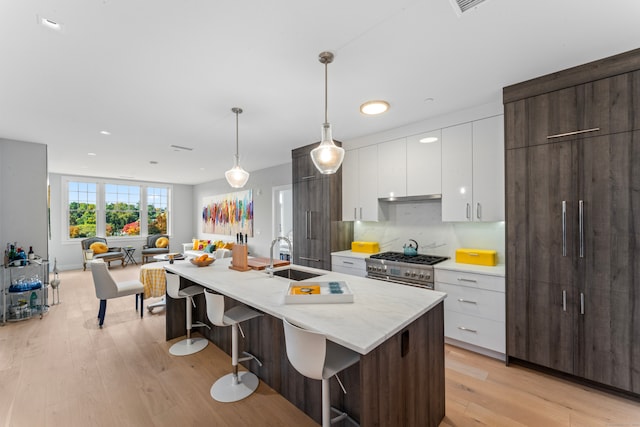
{"points": [[473, 172]]}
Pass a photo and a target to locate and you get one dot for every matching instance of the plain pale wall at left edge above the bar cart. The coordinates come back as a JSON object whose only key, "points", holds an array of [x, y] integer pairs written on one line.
{"points": [[23, 195]]}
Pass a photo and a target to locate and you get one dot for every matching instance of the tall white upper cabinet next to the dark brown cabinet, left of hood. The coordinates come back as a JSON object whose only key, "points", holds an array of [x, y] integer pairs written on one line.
{"points": [[360, 184]]}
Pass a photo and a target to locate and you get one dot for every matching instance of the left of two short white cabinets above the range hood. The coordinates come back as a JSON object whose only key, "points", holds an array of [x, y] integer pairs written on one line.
{"points": [[392, 169]]}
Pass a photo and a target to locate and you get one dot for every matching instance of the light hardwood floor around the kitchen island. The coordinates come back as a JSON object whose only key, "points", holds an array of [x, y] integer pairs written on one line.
{"points": [[65, 371]]}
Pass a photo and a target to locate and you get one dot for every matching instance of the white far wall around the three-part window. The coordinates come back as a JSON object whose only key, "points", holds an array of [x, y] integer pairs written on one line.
{"points": [[69, 253]]}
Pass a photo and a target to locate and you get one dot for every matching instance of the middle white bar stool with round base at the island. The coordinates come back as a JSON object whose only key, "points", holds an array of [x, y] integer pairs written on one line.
{"points": [[236, 385]]}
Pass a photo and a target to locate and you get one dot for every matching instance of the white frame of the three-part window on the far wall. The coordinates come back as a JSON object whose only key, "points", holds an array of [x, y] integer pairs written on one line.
{"points": [[101, 222]]}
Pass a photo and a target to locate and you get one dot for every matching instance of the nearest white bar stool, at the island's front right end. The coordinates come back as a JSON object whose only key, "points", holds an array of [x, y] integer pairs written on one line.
{"points": [[317, 358]]}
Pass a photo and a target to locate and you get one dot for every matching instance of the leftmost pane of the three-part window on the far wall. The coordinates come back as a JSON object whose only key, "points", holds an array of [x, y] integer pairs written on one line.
{"points": [[82, 209]]}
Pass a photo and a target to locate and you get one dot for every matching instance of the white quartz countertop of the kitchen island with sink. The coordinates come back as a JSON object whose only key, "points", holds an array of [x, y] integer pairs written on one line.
{"points": [[379, 311]]}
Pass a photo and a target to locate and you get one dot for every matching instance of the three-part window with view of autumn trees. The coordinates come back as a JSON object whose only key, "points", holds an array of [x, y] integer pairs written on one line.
{"points": [[115, 209]]}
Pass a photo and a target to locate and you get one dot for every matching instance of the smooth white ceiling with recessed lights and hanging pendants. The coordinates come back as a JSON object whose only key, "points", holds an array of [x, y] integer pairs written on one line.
{"points": [[156, 73]]}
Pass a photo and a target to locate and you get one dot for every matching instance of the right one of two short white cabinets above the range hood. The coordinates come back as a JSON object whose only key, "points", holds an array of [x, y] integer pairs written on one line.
{"points": [[424, 164]]}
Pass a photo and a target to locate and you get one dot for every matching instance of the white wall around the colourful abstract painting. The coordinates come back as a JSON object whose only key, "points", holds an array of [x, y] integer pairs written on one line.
{"points": [[261, 182]]}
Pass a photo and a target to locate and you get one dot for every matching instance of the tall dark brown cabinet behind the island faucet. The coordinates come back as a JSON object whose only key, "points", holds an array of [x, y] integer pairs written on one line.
{"points": [[317, 212]]}
